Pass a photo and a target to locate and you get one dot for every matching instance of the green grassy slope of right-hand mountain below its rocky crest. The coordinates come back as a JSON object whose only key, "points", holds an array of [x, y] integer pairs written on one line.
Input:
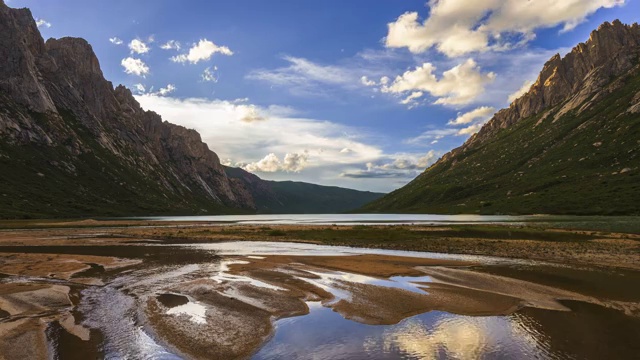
{"points": [[582, 161]]}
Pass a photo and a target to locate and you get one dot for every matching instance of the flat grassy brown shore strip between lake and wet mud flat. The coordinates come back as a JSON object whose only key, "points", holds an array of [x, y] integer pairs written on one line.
{"points": [[527, 242]]}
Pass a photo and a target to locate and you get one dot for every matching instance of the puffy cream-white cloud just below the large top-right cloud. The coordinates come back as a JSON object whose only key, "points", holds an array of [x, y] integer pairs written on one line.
{"points": [[458, 86]]}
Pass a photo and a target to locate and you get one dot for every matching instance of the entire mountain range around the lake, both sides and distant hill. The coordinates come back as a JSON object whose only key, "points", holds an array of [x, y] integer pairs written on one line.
{"points": [[73, 145]]}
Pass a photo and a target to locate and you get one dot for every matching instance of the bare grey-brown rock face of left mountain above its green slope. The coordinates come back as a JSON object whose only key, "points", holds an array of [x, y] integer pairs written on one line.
{"points": [[54, 94]]}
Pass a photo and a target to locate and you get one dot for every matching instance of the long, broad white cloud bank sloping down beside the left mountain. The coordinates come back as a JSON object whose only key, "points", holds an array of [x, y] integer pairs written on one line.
{"points": [[223, 124]]}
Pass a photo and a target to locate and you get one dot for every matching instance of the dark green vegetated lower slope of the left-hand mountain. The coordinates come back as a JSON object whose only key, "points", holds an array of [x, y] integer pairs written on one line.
{"points": [[40, 181]]}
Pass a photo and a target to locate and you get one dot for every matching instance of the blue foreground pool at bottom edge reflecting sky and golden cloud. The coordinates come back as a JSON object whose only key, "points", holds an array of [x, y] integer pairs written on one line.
{"points": [[324, 334]]}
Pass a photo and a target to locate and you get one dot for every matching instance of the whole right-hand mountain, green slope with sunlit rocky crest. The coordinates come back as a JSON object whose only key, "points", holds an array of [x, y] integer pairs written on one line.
{"points": [[570, 145]]}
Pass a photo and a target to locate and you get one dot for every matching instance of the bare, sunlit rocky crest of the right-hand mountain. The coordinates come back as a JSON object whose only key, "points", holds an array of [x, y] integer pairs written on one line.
{"points": [[610, 51]]}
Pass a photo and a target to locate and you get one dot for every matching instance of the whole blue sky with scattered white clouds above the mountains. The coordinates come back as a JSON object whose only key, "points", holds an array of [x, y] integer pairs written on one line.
{"points": [[361, 94]]}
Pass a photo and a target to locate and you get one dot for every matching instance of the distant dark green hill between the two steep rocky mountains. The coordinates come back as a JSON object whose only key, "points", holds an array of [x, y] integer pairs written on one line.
{"points": [[293, 197]]}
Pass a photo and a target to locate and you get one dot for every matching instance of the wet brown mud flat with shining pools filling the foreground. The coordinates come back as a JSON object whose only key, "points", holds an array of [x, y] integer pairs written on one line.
{"points": [[237, 300]]}
